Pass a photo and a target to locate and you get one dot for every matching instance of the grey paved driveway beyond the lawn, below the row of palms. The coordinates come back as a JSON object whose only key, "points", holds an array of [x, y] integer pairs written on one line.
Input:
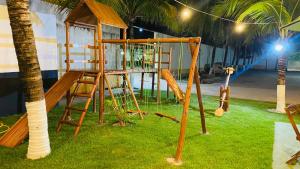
{"points": [[253, 85]]}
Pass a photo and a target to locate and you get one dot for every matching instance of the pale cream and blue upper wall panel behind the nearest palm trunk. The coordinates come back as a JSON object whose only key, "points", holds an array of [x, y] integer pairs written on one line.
{"points": [[44, 27]]}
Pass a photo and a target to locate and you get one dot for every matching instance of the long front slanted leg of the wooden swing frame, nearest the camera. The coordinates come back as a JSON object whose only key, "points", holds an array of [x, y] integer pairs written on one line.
{"points": [[186, 105]]}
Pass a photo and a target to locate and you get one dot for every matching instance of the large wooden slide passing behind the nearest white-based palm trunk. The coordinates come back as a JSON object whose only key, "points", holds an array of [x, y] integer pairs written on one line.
{"points": [[19, 131]]}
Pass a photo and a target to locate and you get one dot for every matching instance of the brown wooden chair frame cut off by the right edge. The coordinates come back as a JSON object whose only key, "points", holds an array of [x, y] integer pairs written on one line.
{"points": [[291, 111]]}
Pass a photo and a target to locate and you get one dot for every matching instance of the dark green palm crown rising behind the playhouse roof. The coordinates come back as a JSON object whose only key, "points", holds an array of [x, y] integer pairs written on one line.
{"points": [[153, 11]]}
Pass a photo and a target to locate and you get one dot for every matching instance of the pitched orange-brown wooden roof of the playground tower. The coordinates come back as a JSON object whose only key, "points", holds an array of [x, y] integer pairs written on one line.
{"points": [[89, 11]]}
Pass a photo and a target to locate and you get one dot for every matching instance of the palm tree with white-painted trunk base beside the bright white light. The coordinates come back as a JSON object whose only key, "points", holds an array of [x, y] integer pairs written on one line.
{"points": [[275, 13]]}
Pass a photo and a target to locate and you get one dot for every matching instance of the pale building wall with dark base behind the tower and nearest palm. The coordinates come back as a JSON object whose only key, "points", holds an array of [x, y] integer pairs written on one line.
{"points": [[49, 32]]}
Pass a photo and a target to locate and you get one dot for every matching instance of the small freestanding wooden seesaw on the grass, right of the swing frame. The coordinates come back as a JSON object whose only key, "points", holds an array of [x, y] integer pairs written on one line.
{"points": [[224, 94]]}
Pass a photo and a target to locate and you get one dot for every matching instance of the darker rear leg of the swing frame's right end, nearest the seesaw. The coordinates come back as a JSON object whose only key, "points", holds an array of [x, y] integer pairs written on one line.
{"points": [[199, 95]]}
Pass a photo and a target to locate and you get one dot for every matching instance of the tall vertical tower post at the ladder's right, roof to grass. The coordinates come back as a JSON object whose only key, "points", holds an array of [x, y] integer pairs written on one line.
{"points": [[101, 69]]}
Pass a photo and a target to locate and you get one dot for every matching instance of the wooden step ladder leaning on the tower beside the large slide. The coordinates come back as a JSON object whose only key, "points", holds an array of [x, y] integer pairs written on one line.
{"points": [[66, 117]]}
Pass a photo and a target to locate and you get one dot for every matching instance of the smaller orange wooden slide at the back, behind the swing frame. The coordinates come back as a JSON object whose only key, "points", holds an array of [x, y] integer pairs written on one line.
{"points": [[166, 74]]}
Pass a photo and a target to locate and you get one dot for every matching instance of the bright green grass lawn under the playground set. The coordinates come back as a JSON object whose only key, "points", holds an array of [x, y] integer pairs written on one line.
{"points": [[242, 138]]}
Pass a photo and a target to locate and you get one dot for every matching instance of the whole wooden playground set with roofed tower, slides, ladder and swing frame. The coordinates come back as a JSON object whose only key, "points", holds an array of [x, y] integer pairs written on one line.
{"points": [[91, 15]]}
